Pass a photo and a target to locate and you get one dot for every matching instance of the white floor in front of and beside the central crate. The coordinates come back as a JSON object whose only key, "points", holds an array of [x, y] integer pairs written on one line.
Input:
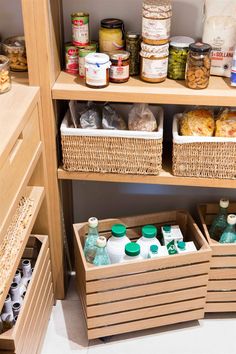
{"points": [[66, 335]]}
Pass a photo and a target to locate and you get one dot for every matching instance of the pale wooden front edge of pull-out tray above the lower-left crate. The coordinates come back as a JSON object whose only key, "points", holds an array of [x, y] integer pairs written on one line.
{"points": [[37, 195]]}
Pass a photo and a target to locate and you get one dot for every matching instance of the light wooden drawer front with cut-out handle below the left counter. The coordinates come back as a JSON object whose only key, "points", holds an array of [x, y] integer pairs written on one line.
{"points": [[14, 170]]}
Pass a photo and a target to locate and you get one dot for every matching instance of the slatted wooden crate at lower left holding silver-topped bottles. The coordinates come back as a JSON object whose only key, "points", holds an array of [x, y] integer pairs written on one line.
{"points": [[26, 335]]}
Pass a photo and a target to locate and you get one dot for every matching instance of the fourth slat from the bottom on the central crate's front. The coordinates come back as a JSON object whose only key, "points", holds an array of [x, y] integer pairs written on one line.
{"points": [[144, 290]]}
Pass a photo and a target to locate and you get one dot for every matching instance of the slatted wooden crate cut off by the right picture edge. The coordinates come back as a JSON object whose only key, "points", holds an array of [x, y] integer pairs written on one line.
{"points": [[221, 290]]}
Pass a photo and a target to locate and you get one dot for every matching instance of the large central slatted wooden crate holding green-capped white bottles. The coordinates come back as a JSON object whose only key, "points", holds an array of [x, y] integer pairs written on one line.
{"points": [[143, 294]]}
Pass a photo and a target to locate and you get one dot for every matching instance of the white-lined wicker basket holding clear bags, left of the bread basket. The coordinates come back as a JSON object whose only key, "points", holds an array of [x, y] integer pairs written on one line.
{"points": [[112, 151]]}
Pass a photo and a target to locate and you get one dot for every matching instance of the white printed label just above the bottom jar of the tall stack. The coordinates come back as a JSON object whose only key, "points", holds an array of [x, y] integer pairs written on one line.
{"points": [[156, 29]]}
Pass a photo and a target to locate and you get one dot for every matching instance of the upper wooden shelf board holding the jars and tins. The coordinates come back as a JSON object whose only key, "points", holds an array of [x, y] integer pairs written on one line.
{"points": [[219, 92]]}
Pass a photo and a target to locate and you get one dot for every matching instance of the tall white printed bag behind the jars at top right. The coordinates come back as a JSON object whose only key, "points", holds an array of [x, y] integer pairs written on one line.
{"points": [[220, 32]]}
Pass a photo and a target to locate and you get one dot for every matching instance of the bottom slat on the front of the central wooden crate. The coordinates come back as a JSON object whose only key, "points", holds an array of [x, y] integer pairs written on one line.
{"points": [[144, 324]]}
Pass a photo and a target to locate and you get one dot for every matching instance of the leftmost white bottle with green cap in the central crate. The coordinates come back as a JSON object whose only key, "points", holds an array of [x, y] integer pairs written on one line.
{"points": [[116, 243]]}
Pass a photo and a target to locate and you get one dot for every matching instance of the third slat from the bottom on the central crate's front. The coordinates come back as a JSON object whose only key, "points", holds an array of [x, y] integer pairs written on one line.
{"points": [[147, 301]]}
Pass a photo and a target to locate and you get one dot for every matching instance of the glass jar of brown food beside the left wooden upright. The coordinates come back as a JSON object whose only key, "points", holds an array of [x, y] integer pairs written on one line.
{"points": [[14, 49]]}
